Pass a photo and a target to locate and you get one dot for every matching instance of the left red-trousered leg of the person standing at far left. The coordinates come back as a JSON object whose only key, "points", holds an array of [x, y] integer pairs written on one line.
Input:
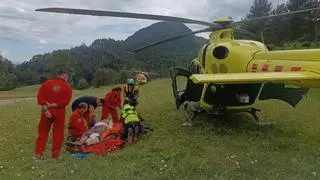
{"points": [[43, 131]]}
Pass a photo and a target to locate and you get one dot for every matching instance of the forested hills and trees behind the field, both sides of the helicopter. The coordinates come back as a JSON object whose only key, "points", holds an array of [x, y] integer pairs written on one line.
{"points": [[100, 62]]}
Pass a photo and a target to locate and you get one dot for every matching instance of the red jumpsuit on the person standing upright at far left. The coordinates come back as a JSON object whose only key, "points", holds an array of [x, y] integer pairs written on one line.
{"points": [[53, 91]]}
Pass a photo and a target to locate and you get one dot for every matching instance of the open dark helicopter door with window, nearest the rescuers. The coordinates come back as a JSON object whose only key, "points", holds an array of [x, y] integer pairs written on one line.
{"points": [[191, 92]]}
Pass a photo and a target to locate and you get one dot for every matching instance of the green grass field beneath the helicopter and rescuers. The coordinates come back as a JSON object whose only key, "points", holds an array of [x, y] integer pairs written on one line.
{"points": [[239, 150]]}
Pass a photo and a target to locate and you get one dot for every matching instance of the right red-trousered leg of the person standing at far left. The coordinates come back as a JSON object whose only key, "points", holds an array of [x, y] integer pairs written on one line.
{"points": [[58, 133]]}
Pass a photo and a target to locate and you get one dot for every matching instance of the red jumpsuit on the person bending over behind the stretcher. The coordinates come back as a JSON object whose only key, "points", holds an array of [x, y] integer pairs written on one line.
{"points": [[112, 101]]}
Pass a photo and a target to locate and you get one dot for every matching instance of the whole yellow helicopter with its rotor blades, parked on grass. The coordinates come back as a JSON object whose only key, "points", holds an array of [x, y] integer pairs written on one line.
{"points": [[230, 75]]}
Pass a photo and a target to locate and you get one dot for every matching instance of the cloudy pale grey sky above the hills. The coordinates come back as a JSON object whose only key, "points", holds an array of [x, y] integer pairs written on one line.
{"points": [[25, 32]]}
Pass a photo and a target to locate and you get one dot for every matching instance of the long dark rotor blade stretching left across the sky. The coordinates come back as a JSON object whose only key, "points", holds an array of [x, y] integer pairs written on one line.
{"points": [[125, 15]]}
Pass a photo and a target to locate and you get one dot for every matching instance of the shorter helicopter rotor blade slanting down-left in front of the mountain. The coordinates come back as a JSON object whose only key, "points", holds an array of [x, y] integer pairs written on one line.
{"points": [[177, 37]]}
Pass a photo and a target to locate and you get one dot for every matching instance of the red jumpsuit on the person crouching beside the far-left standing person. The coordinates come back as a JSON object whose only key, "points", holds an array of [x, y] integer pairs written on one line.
{"points": [[78, 125]]}
